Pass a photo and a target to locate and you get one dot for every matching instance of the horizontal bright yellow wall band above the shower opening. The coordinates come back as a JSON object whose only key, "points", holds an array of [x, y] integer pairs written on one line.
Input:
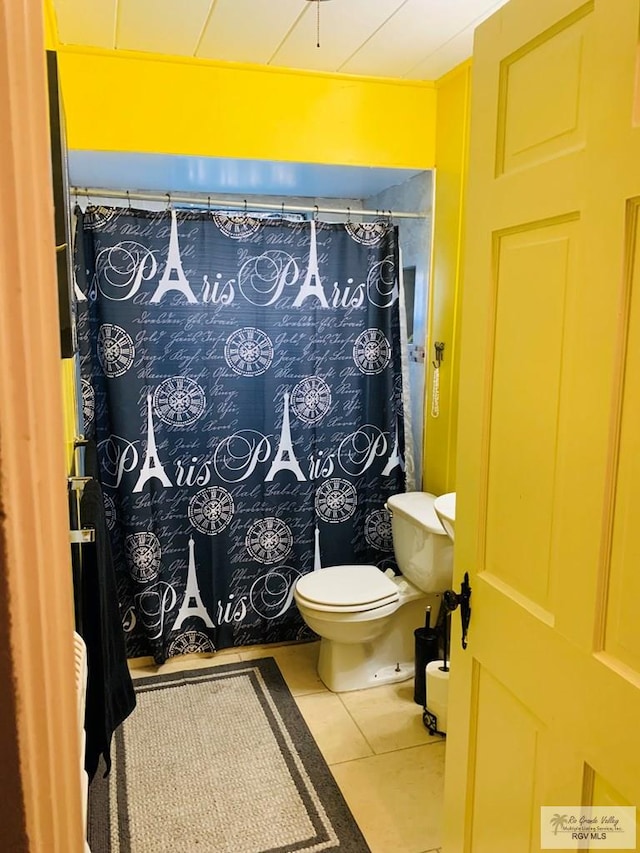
{"points": [[119, 101]]}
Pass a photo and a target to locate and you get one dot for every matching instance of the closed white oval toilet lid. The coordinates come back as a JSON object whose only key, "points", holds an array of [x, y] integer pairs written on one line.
{"points": [[348, 586]]}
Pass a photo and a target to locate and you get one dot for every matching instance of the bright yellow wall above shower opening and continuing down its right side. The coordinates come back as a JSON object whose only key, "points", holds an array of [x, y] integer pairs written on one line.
{"points": [[116, 101]]}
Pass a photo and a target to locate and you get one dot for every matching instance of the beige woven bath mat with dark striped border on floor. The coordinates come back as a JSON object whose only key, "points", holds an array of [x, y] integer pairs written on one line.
{"points": [[218, 760]]}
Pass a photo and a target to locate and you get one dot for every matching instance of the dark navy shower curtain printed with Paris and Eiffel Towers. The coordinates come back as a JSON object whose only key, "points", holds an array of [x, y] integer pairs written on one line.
{"points": [[242, 379]]}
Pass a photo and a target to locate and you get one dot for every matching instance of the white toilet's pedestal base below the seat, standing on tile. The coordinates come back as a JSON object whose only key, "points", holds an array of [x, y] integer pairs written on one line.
{"points": [[386, 660]]}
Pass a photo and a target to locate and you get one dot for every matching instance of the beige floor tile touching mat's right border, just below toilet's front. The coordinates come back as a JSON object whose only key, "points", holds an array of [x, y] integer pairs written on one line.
{"points": [[332, 728]]}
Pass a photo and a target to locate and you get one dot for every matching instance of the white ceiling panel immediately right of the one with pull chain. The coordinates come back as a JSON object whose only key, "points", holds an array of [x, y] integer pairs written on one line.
{"points": [[417, 29]]}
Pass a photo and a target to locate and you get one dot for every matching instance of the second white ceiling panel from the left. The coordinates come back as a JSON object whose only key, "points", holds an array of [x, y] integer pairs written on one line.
{"points": [[160, 26]]}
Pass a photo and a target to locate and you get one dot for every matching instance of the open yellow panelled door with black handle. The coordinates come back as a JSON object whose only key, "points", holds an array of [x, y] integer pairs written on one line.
{"points": [[545, 701]]}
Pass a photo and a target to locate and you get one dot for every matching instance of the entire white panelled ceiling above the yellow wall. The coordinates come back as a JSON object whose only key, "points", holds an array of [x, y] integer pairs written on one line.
{"points": [[412, 39]]}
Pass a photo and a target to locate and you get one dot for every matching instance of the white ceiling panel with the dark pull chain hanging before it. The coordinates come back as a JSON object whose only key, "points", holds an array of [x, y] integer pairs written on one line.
{"points": [[343, 26]]}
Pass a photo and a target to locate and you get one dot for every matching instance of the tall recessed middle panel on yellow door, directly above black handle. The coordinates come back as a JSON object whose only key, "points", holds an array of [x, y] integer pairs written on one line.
{"points": [[533, 277]]}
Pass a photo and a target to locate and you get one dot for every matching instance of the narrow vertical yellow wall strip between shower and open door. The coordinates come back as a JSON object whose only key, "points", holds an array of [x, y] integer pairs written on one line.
{"points": [[453, 92]]}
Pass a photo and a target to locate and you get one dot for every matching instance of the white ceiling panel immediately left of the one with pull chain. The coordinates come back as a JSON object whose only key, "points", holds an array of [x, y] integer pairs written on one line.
{"points": [[248, 30]]}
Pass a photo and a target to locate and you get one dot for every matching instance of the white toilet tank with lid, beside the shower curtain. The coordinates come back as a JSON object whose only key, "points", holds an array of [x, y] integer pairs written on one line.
{"points": [[423, 550]]}
